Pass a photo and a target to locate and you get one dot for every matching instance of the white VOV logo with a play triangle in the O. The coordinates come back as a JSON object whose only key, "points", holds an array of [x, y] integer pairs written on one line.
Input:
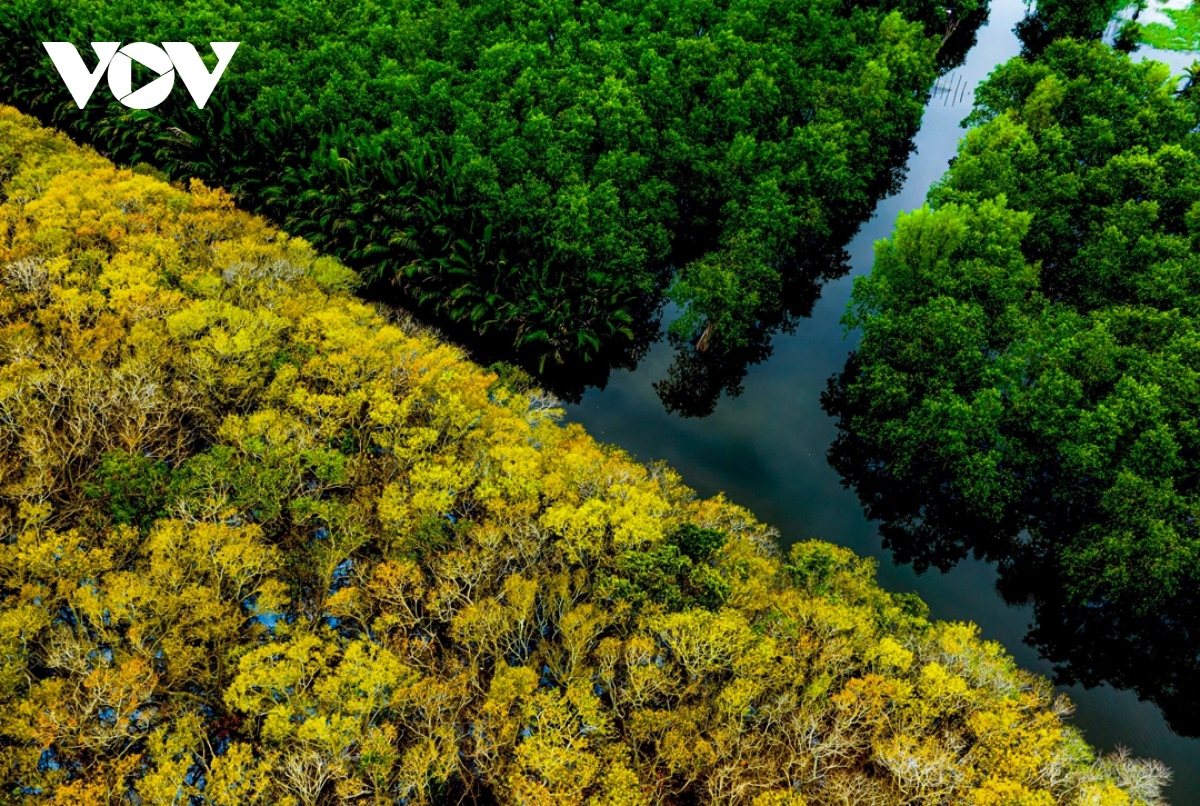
{"points": [[172, 58]]}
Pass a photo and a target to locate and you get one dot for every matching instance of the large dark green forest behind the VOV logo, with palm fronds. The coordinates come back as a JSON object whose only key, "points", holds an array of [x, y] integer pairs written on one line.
{"points": [[543, 172]]}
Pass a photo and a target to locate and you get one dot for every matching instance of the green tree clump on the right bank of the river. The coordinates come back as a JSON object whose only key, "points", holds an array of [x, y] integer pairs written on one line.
{"points": [[1028, 383]]}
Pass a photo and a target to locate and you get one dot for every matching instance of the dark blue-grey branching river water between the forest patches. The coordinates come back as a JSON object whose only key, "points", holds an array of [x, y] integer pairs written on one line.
{"points": [[766, 449]]}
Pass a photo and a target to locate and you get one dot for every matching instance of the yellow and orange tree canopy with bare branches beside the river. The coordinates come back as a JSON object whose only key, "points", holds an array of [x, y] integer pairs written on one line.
{"points": [[262, 546]]}
